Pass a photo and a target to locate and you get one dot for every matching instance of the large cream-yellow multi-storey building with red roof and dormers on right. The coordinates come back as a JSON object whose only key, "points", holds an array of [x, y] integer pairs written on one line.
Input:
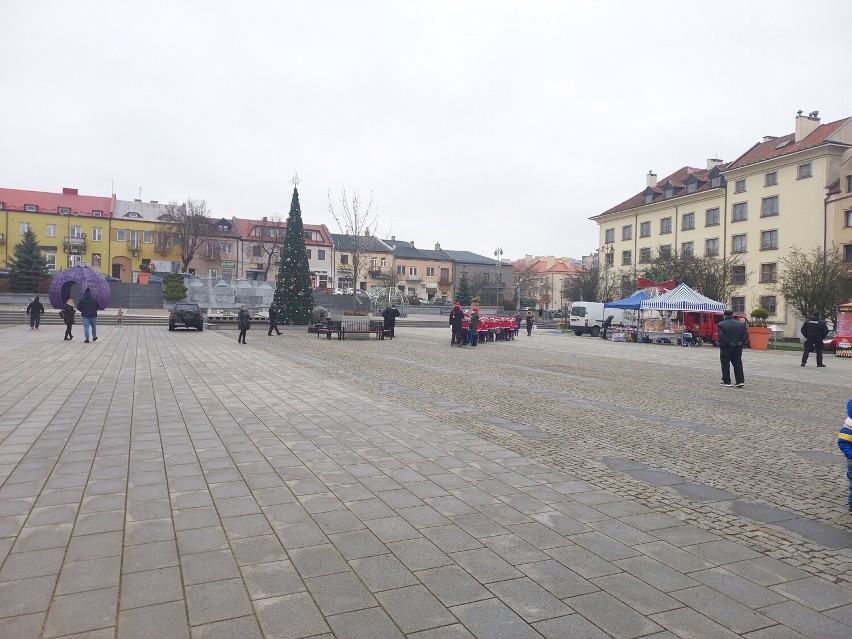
{"points": [[773, 197]]}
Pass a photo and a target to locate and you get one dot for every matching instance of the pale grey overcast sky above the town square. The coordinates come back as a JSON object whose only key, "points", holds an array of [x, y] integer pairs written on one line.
{"points": [[477, 125]]}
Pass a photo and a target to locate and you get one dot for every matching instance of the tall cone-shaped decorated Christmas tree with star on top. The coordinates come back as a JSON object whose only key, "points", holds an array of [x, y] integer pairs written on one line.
{"points": [[293, 294]]}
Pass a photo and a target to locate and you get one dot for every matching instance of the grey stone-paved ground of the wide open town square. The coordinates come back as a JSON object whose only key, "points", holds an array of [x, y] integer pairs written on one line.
{"points": [[170, 485]]}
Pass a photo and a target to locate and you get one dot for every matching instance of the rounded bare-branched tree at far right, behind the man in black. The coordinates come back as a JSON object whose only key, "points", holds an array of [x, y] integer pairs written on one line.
{"points": [[815, 281]]}
